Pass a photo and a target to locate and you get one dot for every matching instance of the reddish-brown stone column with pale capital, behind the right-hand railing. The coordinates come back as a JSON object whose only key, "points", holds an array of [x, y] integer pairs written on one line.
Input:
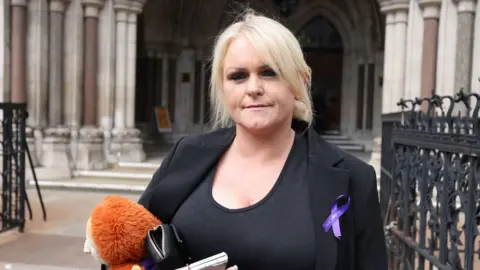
{"points": [[431, 14]]}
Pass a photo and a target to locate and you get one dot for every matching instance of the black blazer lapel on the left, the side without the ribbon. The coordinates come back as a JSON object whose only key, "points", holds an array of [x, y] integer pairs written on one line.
{"points": [[188, 170]]}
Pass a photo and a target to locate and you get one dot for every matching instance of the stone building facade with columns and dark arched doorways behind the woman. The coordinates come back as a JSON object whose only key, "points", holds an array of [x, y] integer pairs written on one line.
{"points": [[92, 71]]}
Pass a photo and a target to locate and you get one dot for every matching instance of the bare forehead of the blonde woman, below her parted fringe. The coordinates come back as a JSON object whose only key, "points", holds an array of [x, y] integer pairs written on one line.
{"points": [[242, 53]]}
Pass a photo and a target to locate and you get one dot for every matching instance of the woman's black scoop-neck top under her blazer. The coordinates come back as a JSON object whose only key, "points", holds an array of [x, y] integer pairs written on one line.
{"points": [[275, 233]]}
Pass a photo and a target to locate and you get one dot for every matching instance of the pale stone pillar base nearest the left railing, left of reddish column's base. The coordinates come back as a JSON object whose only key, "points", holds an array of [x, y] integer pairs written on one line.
{"points": [[56, 148]]}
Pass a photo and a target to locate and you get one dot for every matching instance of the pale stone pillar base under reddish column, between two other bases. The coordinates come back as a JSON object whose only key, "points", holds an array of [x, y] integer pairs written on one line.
{"points": [[90, 154]]}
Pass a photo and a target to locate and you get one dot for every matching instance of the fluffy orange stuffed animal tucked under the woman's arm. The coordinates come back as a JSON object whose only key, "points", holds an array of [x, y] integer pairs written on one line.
{"points": [[116, 231]]}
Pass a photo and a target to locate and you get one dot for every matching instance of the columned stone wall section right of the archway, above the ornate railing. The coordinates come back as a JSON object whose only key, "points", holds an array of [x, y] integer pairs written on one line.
{"points": [[430, 44]]}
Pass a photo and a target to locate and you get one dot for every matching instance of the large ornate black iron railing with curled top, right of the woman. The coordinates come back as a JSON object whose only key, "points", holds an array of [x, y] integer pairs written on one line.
{"points": [[430, 183]]}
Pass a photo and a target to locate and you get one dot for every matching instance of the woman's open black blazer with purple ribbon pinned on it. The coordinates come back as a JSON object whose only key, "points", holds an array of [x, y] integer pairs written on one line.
{"points": [[331, 173]]}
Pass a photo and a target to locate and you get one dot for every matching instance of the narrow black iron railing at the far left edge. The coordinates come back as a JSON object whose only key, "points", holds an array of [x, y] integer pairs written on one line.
{"points": [[13, 185]]}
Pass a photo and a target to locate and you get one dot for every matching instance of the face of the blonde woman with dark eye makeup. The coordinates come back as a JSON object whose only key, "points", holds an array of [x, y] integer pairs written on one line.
{"points": [[256, 97]]}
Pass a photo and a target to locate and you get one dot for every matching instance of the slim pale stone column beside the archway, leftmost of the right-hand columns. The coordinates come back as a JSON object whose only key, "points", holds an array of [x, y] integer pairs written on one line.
{"points": [[388, 59]]}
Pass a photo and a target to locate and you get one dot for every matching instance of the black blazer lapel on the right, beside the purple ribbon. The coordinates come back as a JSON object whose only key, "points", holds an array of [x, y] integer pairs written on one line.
{"points": [[327, 182]]}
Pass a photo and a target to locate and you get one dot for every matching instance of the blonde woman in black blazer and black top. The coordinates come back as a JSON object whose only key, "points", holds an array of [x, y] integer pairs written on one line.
{"points": [[256, 188]]}
